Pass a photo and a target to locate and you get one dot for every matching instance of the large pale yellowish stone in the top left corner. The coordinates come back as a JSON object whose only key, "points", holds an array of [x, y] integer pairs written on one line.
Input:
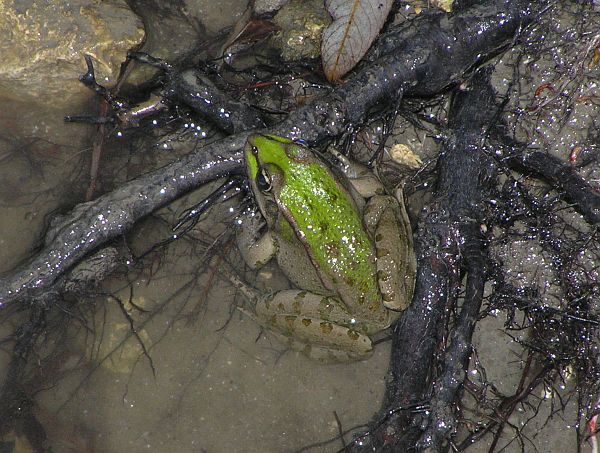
{"points": [[43, 44]]}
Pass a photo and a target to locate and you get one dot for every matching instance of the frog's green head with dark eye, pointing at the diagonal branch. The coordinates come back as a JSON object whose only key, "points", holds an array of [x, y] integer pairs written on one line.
{"points": [[267, 161]]}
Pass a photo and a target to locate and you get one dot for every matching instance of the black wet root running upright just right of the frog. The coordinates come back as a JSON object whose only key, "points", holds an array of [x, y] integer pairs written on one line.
{"points": [[449, 242]]}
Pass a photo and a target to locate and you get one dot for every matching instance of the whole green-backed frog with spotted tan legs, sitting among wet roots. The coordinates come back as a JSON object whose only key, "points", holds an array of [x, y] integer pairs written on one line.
{"points": [[342, 241]]}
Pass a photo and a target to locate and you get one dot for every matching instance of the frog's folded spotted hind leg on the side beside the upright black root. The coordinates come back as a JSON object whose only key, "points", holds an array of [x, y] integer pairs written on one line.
{"points": [[387, 220]]}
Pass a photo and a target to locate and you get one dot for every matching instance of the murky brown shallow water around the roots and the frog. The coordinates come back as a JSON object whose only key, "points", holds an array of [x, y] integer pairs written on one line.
{"points": [[215, 382]]}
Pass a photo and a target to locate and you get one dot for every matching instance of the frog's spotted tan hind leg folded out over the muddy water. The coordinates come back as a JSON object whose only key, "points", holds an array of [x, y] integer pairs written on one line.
{"points": [[318, 326]]}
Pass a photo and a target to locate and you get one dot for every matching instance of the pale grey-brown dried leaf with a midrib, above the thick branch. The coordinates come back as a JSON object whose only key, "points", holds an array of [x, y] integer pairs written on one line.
{"points": [[355, 25]]}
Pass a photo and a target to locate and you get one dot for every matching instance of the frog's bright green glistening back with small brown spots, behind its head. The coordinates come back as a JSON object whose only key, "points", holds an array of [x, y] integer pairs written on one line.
{"points": [[325, 220]]}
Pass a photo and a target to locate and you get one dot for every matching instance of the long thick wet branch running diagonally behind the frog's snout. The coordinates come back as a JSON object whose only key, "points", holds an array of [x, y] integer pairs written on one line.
{"points": [[416, 68]]}
